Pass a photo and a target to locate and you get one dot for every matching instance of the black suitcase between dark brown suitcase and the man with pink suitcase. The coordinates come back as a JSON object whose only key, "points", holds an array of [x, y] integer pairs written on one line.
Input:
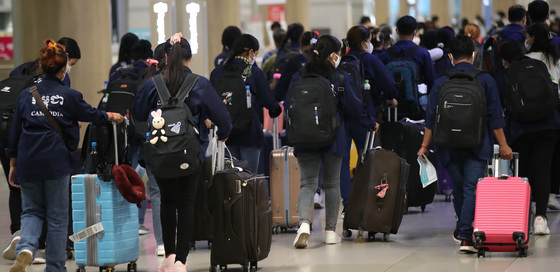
{"points": [[413, 137]]}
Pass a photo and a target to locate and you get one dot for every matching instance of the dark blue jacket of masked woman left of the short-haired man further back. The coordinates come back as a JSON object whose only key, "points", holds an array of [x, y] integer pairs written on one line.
{"points": [[381, 80]]}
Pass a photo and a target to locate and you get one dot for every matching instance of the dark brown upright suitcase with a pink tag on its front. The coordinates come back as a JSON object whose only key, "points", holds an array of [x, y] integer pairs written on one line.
{"points": [[378, 194]]}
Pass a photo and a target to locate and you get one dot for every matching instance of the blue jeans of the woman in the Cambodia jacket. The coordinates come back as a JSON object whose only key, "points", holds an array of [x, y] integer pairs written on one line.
{"points": [[46, 200]]}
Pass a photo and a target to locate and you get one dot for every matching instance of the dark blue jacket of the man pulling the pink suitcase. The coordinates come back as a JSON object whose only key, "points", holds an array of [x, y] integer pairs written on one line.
{"points": [[495, 118]]}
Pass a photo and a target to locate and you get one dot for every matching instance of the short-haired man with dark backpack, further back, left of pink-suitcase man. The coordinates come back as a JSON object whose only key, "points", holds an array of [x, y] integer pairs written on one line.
{"points": [[410, 66]]}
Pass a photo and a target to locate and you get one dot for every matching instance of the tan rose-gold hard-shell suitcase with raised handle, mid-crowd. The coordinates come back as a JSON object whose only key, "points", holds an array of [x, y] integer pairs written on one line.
{"points": [[285, 181]]}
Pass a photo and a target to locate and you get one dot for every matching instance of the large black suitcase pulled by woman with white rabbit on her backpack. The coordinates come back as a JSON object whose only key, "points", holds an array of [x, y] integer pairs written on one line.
{"points": [[242, 217]]}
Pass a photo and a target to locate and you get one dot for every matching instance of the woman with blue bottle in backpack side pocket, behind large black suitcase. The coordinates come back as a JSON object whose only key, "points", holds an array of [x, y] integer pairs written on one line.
{"points": [[243, 88]]}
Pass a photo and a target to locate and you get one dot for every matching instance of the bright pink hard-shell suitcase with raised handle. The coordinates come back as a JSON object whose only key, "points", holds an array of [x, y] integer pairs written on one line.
{"points": [[502, 214]]}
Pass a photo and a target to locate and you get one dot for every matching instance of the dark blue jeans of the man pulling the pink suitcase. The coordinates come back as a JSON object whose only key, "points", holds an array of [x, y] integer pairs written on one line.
{"points": [[465, 170]]}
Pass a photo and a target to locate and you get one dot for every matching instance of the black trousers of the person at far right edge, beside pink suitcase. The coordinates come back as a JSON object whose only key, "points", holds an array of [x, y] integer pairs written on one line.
{"points": [[535, 162]]}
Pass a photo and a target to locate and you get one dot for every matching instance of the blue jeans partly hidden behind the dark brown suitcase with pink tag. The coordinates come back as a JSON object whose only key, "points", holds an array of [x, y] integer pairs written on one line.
{"points": [[354, 130]]}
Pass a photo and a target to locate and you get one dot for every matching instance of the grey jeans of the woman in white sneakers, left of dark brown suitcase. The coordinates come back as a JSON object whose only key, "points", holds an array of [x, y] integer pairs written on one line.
{"points": [[310, 165]]}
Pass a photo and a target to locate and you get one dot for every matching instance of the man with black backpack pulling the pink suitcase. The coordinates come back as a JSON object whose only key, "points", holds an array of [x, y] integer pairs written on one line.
{"points": [[463, 114]]}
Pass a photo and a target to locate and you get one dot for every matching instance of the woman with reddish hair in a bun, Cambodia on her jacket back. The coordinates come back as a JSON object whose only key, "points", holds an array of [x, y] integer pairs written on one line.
{"points": [[43, 156]]}
